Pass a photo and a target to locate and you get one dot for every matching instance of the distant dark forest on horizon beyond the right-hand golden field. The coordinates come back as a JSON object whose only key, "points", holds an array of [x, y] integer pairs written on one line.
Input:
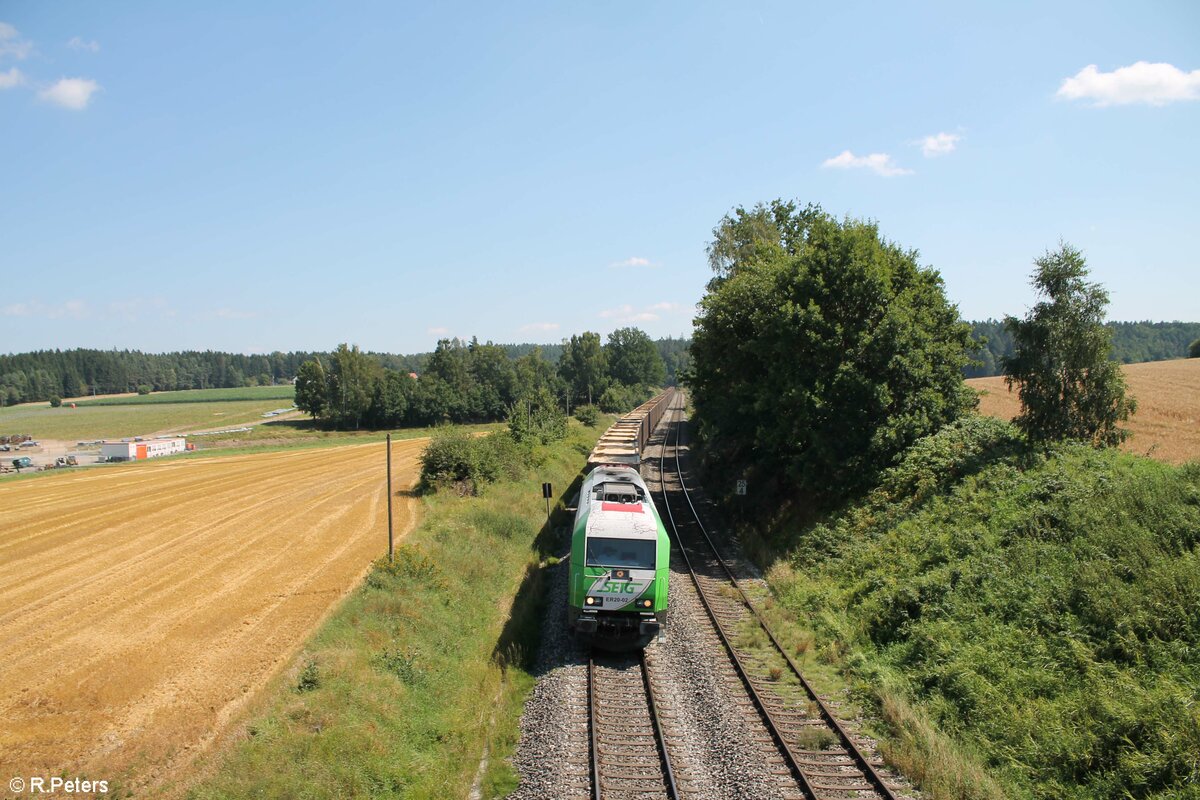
{"points": [[1132, 344]]}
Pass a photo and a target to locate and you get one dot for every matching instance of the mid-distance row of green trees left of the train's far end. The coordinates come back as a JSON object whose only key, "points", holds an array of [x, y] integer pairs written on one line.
{"points": [[473, 382]]}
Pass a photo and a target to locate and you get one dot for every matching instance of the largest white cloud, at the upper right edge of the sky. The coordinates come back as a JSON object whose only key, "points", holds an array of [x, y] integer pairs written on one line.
{"points": [[1155, 85]]}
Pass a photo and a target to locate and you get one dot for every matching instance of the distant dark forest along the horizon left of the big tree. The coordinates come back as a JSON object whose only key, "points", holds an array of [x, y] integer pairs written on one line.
{"points": [[40, 376]]}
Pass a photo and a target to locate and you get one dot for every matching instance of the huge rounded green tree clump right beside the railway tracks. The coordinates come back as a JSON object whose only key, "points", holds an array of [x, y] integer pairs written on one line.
{"points": [[821, 352]]}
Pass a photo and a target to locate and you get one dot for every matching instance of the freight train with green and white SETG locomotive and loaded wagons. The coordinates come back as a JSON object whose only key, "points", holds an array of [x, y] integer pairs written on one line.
{"points": [[620, 550]]}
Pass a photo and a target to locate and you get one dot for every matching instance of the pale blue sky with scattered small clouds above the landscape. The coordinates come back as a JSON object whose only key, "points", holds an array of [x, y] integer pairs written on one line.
{"points": [[296, 176]]}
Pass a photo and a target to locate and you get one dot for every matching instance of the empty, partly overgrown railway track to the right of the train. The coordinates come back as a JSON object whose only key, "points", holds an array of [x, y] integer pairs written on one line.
{"points": [[826, 761]]}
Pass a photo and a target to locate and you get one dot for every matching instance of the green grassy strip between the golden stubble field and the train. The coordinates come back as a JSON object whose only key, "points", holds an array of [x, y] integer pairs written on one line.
{"points": [[423, 669]]}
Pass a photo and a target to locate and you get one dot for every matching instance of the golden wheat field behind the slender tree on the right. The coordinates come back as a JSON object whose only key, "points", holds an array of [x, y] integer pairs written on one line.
{"points": [[1167, 425]]}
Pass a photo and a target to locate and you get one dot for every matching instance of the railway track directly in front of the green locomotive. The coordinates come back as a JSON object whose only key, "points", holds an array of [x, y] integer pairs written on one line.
{"points": [[629, 757]]}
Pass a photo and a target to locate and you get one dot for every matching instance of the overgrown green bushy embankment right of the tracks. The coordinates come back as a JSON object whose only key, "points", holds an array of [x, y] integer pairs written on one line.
{"points": [[1023, 624]]}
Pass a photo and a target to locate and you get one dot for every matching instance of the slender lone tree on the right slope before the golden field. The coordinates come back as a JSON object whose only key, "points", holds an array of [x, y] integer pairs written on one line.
{"points": [[1070, 388]]}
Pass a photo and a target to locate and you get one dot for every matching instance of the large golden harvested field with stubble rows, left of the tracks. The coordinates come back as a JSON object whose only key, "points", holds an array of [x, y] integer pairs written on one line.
{"points": [[143, 606]]}
